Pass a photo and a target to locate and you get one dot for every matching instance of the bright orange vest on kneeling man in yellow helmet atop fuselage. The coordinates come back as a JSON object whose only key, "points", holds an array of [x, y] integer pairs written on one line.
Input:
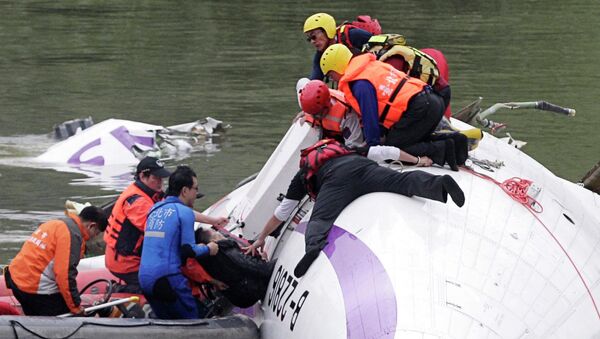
{"points": [[394, 88]]}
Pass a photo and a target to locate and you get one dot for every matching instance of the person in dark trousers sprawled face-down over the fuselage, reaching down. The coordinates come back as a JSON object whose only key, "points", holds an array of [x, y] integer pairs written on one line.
{"points": [[334, 176]]}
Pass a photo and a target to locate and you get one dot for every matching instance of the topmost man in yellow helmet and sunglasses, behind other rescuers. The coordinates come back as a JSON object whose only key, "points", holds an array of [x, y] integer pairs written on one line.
{"points": [[321, 32]]}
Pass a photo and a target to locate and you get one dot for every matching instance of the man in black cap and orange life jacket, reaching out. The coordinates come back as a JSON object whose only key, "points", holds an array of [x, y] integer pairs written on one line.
{"points": [[125, 233]]}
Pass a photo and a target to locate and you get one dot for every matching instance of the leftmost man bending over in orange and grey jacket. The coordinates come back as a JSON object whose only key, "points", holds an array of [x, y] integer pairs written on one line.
{"points": [[43, 274]]}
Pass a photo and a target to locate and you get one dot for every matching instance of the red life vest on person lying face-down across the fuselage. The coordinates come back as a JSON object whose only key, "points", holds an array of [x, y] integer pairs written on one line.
{"points": [[313, 157]]}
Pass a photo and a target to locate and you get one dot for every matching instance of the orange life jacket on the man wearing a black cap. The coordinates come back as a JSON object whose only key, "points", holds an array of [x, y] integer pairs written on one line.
{"points": [[121, 234]]}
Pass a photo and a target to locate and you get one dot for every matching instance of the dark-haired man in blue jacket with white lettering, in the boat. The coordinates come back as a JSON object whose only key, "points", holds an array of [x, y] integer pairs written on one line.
{"points": [[169, 242]]}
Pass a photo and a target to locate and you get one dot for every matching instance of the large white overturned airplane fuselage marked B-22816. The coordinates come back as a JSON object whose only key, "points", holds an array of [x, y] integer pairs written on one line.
{"points": [[404, 267]]}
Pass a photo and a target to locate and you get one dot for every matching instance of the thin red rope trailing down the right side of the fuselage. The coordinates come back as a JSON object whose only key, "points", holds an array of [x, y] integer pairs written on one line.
{"points": [[517, 188]]}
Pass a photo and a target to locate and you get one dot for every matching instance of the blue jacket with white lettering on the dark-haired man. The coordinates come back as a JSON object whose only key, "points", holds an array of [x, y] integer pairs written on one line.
{"points": [[170, 225]]}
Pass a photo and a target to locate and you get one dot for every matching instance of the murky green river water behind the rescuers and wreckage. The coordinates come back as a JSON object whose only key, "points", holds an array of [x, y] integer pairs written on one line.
{"points": [[170, 62]]}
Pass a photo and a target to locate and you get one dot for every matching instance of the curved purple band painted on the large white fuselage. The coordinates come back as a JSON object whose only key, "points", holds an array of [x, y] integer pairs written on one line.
{"points": [[369, 298]]}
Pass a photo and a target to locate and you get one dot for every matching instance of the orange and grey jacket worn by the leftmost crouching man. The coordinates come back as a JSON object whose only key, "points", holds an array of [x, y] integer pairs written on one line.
{"points": [[47, 262]]}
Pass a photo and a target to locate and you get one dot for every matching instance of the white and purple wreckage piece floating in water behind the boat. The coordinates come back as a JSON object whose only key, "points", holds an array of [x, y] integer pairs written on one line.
{"points": [[124, 142]]}
